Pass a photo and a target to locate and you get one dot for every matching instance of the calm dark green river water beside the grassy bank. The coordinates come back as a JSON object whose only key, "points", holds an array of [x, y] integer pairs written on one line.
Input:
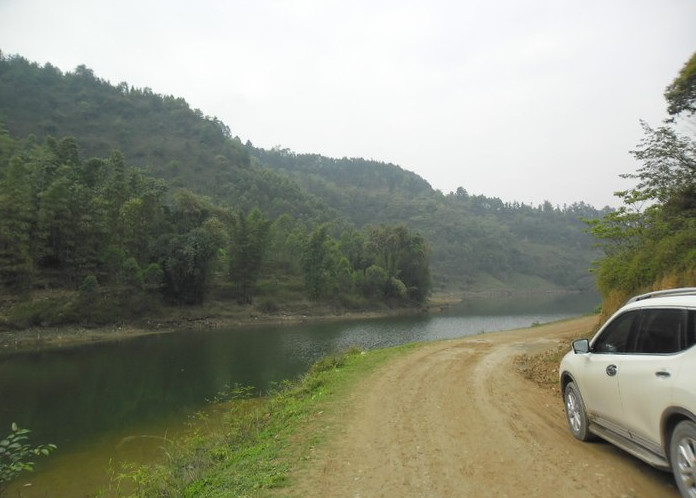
{"points": [[87, 399]]}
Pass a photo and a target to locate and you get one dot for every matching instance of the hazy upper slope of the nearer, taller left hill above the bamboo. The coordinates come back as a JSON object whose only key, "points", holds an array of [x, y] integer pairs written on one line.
{"points": [[150, 129]]}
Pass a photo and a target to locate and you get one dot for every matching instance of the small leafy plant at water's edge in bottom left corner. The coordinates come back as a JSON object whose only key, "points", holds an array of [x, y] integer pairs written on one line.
{"points": [[17, 455]]}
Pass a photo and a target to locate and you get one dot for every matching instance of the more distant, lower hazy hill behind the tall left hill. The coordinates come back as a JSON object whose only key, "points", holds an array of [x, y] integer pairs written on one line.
{"points": [[474, 238]]}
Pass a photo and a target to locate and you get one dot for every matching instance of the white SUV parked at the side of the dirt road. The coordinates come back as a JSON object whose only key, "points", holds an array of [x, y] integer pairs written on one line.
{"points": [[634, 383]]}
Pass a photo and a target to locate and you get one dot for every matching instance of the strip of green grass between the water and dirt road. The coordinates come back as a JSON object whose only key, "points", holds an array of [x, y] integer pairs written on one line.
{"points": [[249, 447]]}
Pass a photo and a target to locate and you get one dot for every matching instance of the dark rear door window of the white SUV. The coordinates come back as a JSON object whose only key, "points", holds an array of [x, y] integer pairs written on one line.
{"points": [[661, 331]]}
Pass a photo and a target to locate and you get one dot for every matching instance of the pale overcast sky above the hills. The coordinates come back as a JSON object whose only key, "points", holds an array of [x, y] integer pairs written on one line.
{"points": [[526, 100]]}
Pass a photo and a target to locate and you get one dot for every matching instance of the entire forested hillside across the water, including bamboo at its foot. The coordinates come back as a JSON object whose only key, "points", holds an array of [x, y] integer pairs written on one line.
{"points": [[83, 161]]}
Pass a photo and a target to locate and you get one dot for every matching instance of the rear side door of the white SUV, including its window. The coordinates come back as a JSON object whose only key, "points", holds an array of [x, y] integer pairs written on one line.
{"points": [[648, 372]]}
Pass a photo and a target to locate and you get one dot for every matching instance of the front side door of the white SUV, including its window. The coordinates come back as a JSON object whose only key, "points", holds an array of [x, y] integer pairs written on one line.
{"points": [[599, 384]]}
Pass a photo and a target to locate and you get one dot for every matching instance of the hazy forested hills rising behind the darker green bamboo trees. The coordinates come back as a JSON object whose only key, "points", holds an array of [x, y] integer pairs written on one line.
{"points": [[475, 241]]}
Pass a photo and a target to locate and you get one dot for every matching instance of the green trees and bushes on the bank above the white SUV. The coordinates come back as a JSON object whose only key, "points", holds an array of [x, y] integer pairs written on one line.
{"points": [[649, 242]]}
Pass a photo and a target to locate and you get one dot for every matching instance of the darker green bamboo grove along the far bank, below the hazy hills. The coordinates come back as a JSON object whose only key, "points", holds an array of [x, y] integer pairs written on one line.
{"points": [[120, 239]]}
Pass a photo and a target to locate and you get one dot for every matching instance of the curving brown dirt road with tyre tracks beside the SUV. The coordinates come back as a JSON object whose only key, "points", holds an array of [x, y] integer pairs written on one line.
{"points": [[456, 418]]}
